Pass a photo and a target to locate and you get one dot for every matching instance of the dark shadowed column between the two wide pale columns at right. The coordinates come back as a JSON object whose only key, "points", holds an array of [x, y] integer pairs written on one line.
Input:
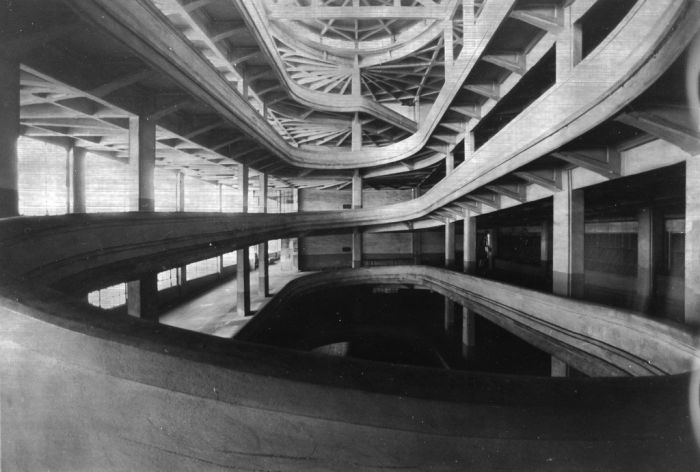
{"points": [[650, 237]]}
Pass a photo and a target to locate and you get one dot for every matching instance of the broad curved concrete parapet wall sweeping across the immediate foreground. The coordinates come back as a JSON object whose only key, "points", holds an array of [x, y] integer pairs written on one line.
{"points": [[82, 390]]}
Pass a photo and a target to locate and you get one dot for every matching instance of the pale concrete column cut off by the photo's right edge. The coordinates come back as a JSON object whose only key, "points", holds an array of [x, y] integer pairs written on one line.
{"points": [[692, 240]]}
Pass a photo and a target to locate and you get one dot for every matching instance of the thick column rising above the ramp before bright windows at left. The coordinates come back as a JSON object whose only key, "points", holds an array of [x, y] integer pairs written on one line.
{"points": [[142, 161]]}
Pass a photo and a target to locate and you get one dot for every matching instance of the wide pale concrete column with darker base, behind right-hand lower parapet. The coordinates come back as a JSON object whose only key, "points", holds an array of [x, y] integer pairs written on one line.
{"points": [[567, 240]]}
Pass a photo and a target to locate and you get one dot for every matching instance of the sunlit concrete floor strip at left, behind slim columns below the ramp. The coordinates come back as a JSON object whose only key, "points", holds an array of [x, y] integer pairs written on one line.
{"points": [[214, 312]]}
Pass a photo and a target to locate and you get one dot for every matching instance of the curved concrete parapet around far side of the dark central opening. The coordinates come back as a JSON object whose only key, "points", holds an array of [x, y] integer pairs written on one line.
{"points": [[594, 339]]}
